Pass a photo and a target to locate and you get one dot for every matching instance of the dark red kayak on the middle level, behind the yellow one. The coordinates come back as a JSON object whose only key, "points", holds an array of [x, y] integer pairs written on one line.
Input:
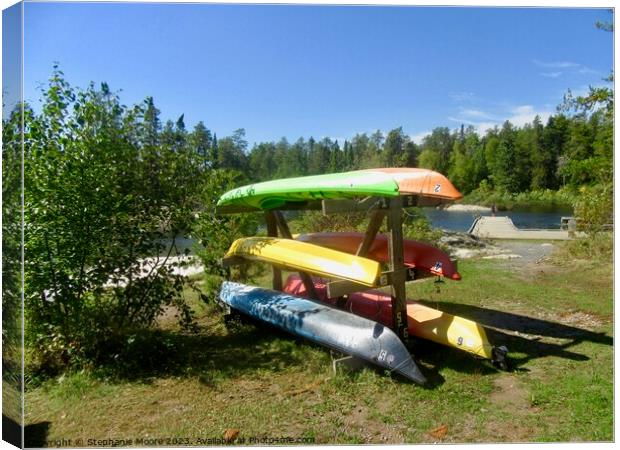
{"points": [[417, 254]]}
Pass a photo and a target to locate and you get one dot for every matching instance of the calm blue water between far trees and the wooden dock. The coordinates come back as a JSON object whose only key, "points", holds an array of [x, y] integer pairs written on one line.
{"points": [[462, 220]]}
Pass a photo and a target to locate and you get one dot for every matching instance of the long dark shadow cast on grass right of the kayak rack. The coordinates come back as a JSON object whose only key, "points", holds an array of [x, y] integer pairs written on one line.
{"points": [[532, 348]]}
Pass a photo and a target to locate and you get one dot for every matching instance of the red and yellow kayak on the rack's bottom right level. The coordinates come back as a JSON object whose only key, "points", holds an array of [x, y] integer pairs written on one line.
{"points": [[423, 322]]}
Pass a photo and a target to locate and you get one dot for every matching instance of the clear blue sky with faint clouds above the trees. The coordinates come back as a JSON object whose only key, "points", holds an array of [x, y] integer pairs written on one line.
{"points": [[322, 70]]}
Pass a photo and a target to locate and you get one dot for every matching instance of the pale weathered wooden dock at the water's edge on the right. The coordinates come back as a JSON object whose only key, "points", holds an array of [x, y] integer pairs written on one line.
{"points": [[502, 227]]}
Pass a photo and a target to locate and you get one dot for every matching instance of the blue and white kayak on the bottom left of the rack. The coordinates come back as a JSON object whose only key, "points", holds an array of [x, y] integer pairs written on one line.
{"points": [[325, 325]]}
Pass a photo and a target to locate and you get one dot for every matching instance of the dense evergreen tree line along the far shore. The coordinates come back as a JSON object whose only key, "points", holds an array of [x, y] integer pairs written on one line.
{"points": [[567, 150]]}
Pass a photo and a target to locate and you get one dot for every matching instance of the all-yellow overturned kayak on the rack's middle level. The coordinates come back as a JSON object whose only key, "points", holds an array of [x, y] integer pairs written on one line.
{"points": [[300, 256]]}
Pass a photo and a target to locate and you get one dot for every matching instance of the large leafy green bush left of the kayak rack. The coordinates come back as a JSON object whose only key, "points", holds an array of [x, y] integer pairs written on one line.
{"points": [[102, 194]]}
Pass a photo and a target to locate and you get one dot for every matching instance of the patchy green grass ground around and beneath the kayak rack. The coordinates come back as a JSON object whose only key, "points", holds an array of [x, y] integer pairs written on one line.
{"points": [[556, 319]]}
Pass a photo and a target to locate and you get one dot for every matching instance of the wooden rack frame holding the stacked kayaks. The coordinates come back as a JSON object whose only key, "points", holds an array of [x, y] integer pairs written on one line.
{"points": [[390, 208]]}
